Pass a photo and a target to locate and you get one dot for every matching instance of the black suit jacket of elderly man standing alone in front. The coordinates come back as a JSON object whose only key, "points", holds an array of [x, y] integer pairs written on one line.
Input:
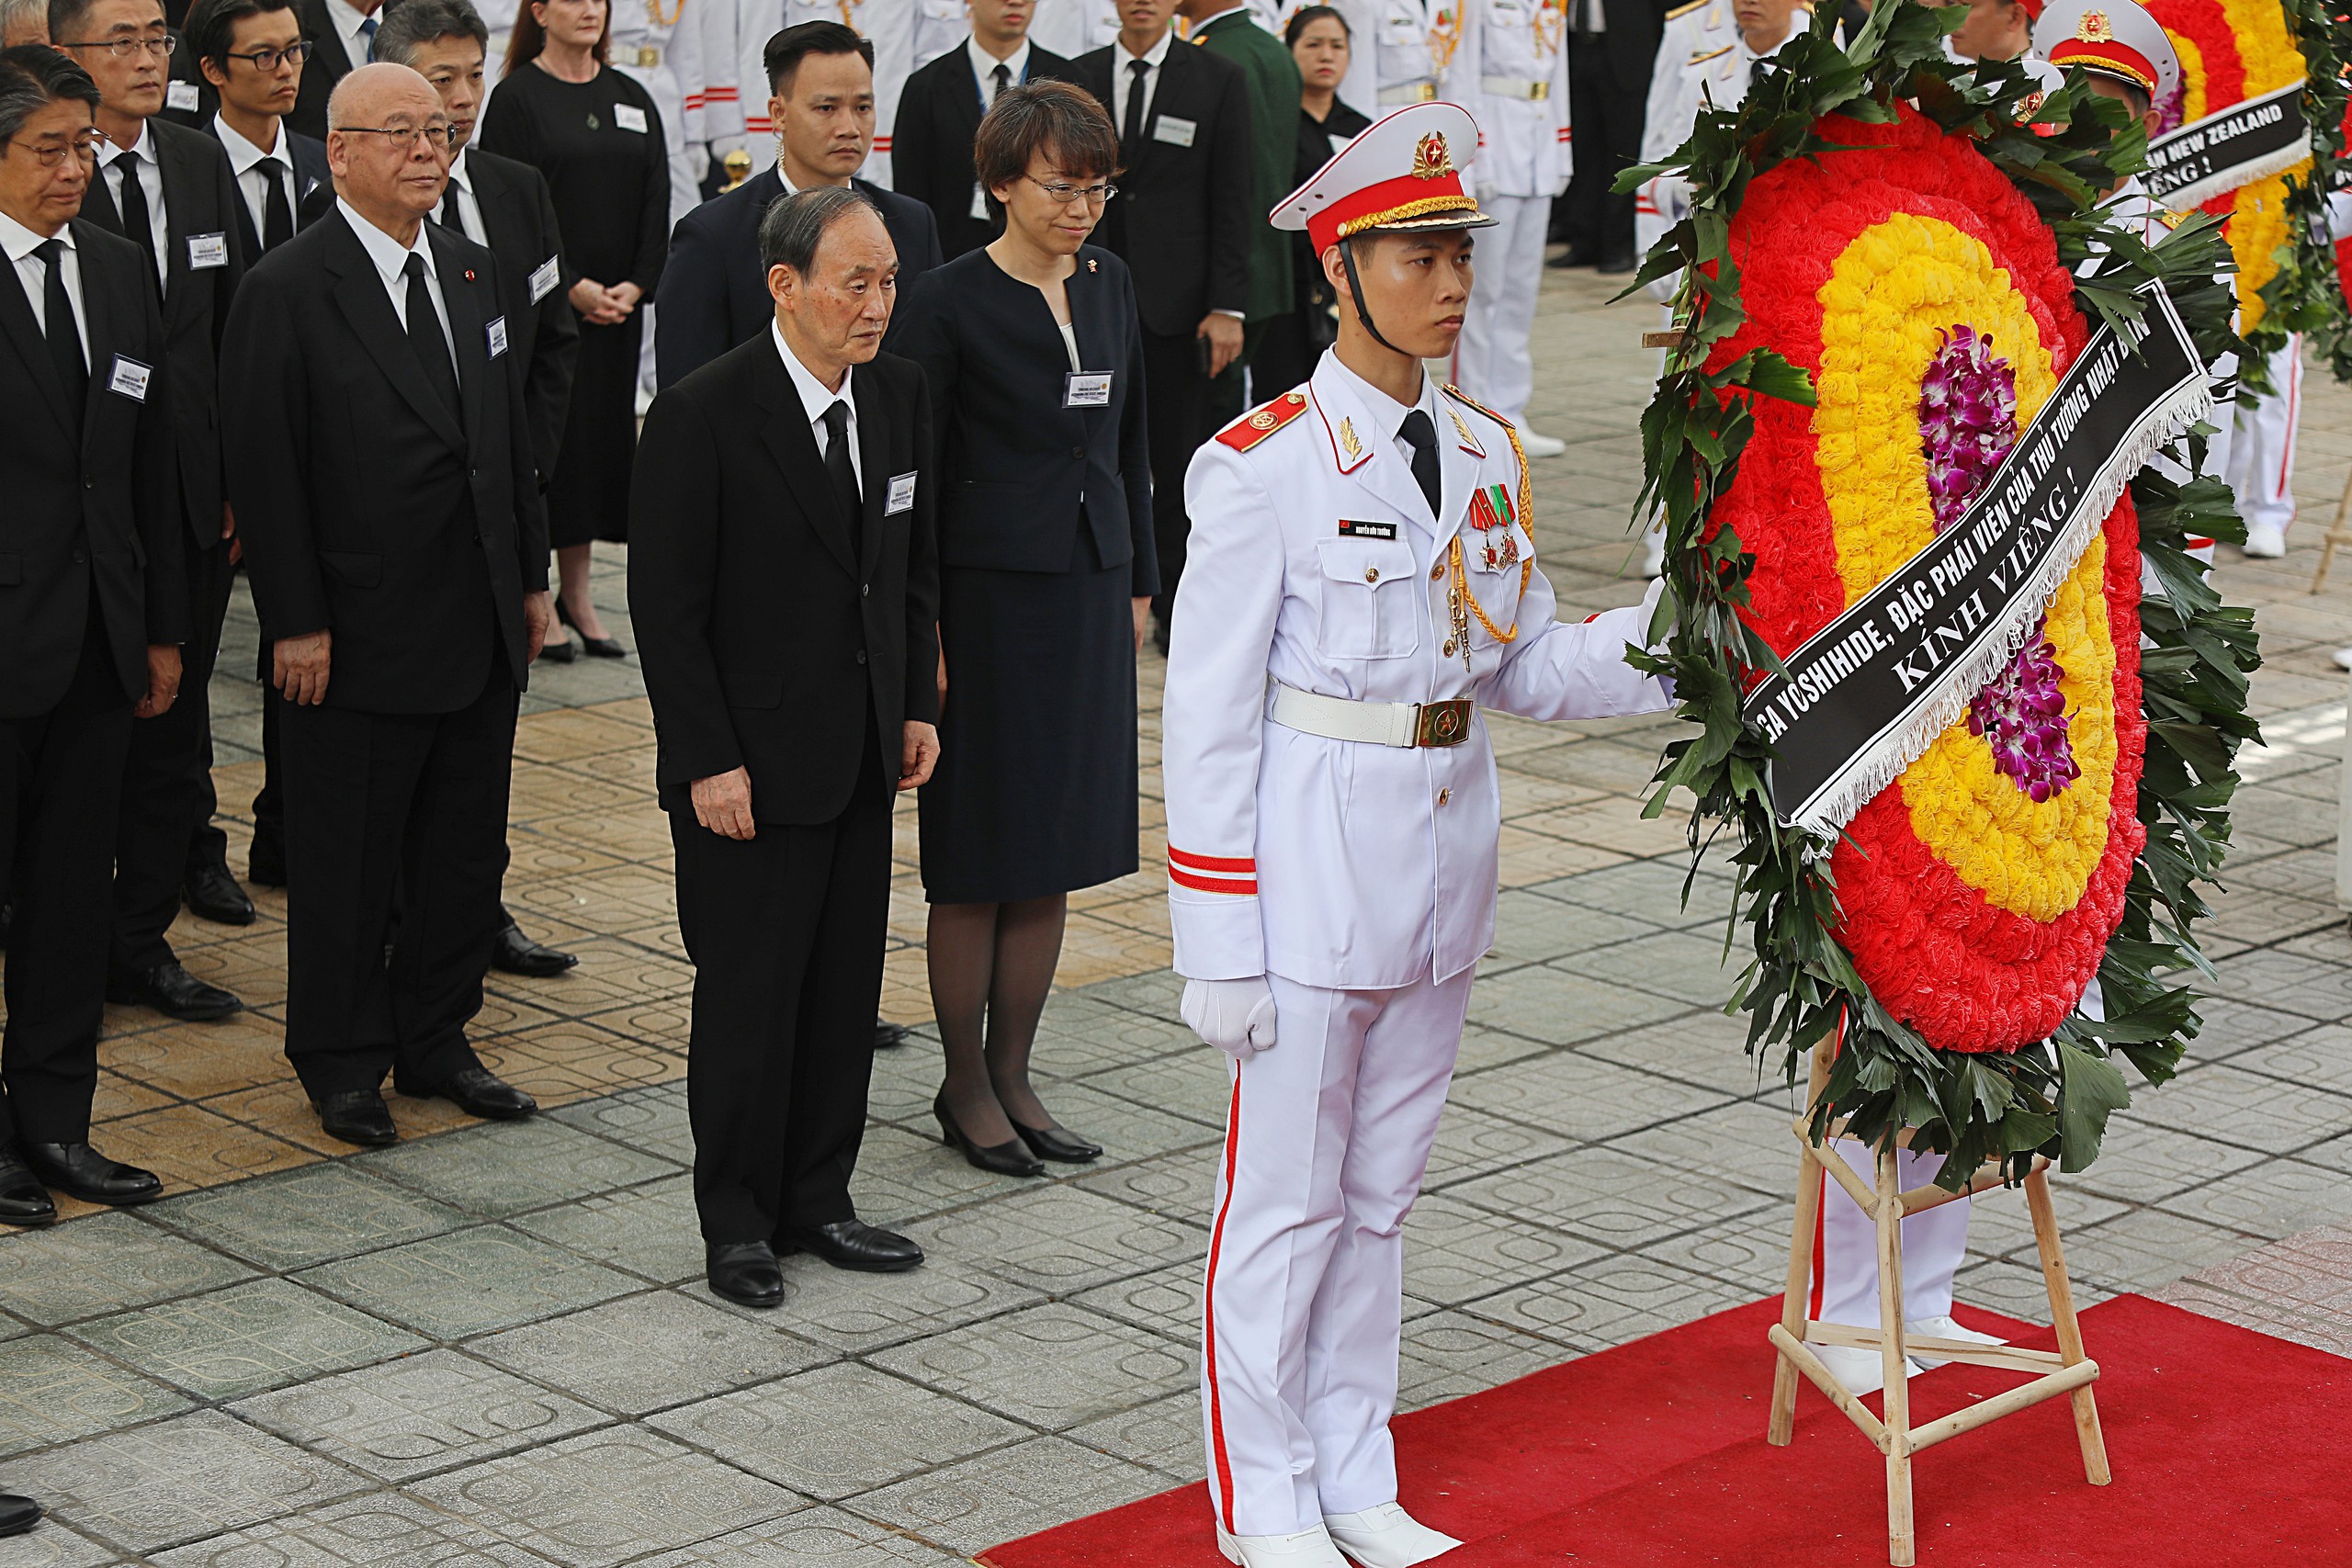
{"points": [[766, 638]]}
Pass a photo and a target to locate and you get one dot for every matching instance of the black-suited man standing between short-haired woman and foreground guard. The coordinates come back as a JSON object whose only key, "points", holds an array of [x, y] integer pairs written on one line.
{"points": [[1182, 222]]}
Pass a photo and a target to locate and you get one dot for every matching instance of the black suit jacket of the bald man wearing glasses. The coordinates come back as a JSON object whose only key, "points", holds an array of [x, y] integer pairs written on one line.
{"points": [[366, 507]]}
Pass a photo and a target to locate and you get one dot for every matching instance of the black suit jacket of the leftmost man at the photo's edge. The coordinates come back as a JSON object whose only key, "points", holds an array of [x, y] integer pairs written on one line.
{"points": [[105, 516]]}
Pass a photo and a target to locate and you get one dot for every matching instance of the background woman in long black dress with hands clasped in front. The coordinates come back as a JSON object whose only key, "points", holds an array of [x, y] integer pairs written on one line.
{"points": [[596, 135]]}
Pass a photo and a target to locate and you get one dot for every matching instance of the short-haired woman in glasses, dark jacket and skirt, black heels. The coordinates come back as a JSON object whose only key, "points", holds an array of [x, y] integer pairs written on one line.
{"points": [[1048, 570]]}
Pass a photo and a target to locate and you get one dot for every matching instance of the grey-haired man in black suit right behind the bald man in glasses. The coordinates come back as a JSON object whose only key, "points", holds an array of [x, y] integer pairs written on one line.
{"points": [[507, 206]]}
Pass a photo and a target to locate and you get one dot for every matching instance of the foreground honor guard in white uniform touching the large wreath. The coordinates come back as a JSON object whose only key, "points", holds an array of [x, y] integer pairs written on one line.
{"points": [[1365, 584]]}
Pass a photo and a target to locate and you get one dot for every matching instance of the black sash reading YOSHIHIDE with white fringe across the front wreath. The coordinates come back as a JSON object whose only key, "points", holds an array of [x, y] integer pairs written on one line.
{"points": [[1873, 690]]}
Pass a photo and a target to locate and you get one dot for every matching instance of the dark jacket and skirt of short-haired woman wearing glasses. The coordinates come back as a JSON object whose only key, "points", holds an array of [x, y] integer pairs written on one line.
{"points": [[1045, 537]]}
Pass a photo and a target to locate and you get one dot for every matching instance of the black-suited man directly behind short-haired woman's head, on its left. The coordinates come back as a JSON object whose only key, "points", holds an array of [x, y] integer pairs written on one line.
{"points": [[940, 114]]}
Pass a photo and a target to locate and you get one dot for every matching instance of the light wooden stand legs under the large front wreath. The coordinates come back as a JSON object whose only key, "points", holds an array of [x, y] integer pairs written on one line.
{"points": [[2066, 1372]]}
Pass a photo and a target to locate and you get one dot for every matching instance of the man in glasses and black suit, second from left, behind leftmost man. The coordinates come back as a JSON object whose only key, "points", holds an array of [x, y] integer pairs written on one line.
{"points": [[171, 194]]}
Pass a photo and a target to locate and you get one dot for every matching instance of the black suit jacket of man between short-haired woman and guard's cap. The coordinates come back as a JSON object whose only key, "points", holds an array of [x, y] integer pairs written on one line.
{"points": [[1182, 220]]}
